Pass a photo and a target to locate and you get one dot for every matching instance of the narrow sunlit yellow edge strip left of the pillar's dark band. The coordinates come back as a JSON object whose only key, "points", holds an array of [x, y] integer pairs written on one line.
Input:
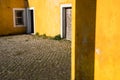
{"points": [[73, 40]]}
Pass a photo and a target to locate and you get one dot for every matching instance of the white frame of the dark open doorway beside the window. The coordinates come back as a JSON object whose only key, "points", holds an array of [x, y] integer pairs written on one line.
{"points": [[29, 20]]}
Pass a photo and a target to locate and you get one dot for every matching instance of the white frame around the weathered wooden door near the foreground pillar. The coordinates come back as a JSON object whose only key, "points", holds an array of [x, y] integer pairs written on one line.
{"points": [[62, 15]]}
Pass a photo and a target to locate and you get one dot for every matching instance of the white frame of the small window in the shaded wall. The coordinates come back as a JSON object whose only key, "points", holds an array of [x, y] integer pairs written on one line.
{"points": [[24, 17]]}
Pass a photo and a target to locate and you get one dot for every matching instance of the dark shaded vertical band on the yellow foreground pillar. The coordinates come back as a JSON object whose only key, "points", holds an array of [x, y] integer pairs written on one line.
{"points": [[85, 39]]}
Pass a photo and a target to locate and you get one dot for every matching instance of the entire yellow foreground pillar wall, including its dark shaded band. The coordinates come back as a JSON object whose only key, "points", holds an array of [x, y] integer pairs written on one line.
{"points": [[95, 41]]}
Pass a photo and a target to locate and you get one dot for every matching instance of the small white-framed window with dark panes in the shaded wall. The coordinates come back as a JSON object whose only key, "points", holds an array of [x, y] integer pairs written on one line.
{"points": [[19, 17]]}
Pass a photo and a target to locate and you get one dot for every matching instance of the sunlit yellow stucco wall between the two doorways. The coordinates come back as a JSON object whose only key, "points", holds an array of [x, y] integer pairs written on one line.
{"points": [[47, 15]]}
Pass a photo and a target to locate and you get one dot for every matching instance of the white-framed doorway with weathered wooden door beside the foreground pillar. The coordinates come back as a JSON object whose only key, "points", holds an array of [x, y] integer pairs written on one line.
{"points": [[66, 21]]}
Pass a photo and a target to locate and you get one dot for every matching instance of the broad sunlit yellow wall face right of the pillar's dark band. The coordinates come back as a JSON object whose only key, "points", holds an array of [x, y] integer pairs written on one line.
{"points": [[107, 56]]}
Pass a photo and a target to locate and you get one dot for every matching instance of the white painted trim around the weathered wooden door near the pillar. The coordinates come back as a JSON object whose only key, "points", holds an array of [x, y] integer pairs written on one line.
{"points": [[62, 6]]}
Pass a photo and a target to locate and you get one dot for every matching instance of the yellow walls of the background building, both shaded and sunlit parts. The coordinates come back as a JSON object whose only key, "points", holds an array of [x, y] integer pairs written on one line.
{"points": [[47, 16]]}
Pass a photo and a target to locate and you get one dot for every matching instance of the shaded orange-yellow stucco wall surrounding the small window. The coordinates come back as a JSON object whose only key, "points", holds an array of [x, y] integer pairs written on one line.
{"points": [[6, 17]]}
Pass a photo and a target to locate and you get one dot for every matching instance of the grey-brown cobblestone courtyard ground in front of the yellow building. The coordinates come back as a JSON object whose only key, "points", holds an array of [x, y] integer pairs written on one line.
{"points": [[27, 57]]}
